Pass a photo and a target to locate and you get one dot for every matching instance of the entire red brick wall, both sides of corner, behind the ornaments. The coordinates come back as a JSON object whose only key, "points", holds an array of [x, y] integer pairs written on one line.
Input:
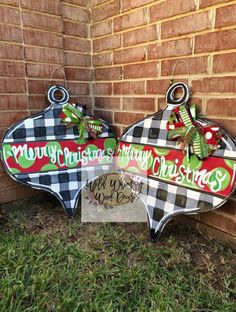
{"points": [[118, 56]]}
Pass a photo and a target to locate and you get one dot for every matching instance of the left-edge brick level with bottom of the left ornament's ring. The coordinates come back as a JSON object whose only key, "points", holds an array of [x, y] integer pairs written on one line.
{"points": [[16, 102]]}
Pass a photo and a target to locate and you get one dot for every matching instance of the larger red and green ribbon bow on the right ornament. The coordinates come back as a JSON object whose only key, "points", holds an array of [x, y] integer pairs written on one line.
{"points": [[192, 137]]}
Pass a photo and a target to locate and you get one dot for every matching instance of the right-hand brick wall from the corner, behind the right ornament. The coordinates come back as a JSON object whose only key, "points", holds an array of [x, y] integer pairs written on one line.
{"points": [[135, 45]]}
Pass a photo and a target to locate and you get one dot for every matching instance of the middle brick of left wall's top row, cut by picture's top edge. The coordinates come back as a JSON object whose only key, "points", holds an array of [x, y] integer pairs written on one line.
{"points": [[44, 6]]}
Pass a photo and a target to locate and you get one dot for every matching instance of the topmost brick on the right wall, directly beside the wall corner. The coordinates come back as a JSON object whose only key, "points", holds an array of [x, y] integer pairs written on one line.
{"points": [[105, 10]]}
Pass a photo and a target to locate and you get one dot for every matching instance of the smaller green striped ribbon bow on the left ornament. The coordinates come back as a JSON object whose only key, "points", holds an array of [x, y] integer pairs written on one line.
{"points": [[75, 116]]}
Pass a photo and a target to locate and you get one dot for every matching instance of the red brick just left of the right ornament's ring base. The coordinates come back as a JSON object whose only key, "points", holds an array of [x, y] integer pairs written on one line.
{"points": [[139, 104]]}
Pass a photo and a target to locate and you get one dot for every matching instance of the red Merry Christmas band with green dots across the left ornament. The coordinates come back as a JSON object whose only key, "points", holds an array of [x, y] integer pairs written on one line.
{"points": [[45, 156]]}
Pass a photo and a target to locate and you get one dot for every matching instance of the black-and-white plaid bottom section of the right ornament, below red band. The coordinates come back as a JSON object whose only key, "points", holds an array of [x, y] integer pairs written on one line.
{"points": [[164, 200]]}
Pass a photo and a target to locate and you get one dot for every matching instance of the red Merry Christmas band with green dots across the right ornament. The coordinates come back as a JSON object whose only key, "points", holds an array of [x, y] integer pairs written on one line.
{"points": [[215, 175]]}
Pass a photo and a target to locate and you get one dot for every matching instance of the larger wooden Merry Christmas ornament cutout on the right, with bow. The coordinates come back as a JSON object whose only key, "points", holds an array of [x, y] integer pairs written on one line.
{"points": [[188, 164]]}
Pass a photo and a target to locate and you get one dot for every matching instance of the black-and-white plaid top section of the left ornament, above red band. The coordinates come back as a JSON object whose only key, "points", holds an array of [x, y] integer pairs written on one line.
{"points": [[46, 126]]}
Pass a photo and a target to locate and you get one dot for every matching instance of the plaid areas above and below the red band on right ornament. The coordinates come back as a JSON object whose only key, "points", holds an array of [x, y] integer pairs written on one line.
{"points": [[164, 200]]}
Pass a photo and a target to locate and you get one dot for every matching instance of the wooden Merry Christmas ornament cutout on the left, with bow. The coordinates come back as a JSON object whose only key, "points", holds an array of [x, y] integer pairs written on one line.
{"points": [[53, 149]]}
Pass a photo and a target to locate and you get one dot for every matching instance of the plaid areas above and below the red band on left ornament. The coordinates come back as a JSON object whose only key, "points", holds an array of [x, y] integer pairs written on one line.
{"points": [[64, 184]]}
